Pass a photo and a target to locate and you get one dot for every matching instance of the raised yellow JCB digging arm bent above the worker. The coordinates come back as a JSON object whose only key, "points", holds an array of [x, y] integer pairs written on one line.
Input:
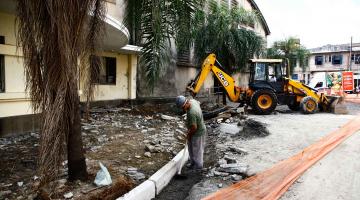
{"points": [[226, 80]]}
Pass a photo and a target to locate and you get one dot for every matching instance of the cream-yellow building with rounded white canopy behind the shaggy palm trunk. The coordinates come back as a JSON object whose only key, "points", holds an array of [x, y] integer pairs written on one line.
{"points": [[117, 76]]}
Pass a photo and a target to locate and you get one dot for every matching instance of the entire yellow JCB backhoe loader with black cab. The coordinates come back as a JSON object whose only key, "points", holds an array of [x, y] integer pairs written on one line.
{"points": [[269, 85]]}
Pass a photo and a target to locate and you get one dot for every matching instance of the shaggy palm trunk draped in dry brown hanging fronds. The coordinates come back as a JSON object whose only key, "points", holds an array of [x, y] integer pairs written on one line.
{"points": [[54, 35]]}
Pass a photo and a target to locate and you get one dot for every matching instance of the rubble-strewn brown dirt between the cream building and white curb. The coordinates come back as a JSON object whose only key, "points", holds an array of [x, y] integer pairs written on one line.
{"points": [[132, 142]]}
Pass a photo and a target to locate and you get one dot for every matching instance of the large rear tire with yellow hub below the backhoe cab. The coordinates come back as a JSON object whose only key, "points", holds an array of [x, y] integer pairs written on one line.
{"points": [[263, 101]]}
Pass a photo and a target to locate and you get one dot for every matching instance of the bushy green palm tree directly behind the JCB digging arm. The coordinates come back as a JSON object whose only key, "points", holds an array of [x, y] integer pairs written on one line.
{"points": [[224, 31]]}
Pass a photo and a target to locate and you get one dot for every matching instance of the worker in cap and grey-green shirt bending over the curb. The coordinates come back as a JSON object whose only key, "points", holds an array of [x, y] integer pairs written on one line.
{"points": [[196, 130]]}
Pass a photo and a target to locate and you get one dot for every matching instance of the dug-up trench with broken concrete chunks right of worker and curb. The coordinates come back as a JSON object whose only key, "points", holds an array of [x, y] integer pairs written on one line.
{"points": [[220, 166]]}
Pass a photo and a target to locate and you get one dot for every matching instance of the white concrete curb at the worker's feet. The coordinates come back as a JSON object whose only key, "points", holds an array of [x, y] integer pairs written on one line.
{"points": [[158, 181]]}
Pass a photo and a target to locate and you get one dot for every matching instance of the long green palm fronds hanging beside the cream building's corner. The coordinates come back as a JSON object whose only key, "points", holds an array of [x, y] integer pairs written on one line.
{"points": [[153, 24]]}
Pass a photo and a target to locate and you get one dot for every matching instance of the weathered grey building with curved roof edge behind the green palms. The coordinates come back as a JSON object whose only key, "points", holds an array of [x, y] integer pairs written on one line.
{"points": [[183, 68]]}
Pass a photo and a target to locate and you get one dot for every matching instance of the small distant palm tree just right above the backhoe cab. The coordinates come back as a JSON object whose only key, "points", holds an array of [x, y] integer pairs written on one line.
{"points": [[290, 49]]}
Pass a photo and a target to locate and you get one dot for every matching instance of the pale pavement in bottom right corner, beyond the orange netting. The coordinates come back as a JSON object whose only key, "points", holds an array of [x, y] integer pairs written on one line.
{"points": [[335, 177]]}
